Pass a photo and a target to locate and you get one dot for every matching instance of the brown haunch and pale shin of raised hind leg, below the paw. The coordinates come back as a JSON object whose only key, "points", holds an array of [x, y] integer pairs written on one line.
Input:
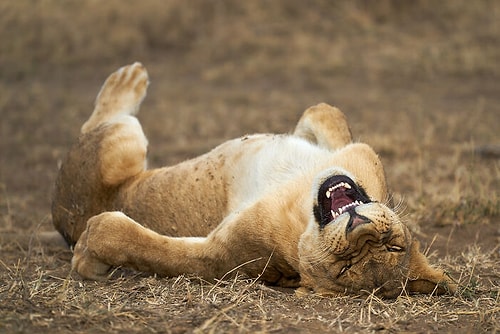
{"points": [[93, 171]]}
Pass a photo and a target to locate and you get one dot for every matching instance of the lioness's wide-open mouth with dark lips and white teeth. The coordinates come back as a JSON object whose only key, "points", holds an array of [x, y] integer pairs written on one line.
{"points": [[337, 195]]}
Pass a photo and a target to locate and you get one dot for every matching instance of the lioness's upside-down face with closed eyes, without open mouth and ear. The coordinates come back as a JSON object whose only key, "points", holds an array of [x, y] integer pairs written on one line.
{"points": [[372, 255]]}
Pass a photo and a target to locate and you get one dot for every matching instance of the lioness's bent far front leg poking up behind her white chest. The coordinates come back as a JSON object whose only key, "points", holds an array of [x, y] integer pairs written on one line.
{"points": [[325, 126]]}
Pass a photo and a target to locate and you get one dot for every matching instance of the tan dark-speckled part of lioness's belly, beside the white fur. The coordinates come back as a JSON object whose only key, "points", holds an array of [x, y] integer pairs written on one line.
{"points": [[183, 200]]}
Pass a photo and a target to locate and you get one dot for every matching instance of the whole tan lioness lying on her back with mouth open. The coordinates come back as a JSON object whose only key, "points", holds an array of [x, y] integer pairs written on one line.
{"points": [[307, 210]]}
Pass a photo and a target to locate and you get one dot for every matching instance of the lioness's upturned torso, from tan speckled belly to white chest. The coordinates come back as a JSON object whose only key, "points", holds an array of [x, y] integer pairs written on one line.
{"points": [[193, 197]]}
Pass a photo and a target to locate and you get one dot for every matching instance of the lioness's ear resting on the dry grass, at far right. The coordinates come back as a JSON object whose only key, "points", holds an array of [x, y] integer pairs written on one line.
{"points": [[422, 278]]}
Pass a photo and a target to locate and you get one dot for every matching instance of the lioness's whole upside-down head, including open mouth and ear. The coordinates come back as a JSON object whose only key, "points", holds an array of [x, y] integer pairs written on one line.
{"points": [[356, 244]]}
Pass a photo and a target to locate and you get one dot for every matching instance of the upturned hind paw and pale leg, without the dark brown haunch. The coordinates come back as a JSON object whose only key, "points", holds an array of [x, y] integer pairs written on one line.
{"points": [[122, 150]]}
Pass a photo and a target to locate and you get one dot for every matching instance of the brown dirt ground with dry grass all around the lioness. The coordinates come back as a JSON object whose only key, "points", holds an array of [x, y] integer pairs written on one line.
{"points": [[417, 82]]}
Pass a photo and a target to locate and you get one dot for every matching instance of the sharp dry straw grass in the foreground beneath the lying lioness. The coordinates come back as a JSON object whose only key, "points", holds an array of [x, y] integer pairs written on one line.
{"points": [[42, 299]]}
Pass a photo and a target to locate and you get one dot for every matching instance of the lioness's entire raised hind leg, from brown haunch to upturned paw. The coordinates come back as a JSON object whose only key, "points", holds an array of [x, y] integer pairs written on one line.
{"points": [[110, 150]]}
